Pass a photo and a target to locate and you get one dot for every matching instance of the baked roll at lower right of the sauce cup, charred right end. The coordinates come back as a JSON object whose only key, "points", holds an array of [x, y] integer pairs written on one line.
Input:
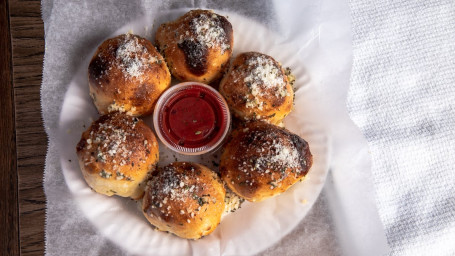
{"points": [[262, 160]]}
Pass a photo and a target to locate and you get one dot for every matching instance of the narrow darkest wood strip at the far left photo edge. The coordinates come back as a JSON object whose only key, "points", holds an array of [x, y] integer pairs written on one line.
{"points": [[9, 219]]}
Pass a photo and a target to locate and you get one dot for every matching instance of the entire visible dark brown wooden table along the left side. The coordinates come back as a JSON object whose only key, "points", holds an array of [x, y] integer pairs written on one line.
{"points": [[22, 137]]}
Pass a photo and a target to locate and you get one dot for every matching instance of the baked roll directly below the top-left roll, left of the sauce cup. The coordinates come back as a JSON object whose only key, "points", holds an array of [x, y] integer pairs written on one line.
{"points": [[116, 154]]}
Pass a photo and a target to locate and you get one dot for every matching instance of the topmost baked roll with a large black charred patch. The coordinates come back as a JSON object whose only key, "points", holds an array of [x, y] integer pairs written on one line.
{"points": [[197, 46]]}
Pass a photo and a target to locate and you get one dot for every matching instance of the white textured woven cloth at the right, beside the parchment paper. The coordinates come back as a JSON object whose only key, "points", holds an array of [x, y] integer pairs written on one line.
{"points": [[402, 96]]}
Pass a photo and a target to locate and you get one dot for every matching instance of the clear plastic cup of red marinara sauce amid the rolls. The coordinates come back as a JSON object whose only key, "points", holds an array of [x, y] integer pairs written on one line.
{"points": [[191, 118]]}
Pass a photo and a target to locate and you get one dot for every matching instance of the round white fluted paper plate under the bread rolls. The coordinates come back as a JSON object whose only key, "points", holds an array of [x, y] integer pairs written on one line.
{"points": [[249, 230]]}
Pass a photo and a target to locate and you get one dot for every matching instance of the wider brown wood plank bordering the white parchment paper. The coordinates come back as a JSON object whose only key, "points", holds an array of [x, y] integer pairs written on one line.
{"points": [[27, 40]]}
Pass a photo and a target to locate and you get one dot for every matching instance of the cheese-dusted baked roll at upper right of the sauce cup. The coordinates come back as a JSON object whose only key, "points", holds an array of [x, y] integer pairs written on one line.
{"points": [[257, 88]]}
